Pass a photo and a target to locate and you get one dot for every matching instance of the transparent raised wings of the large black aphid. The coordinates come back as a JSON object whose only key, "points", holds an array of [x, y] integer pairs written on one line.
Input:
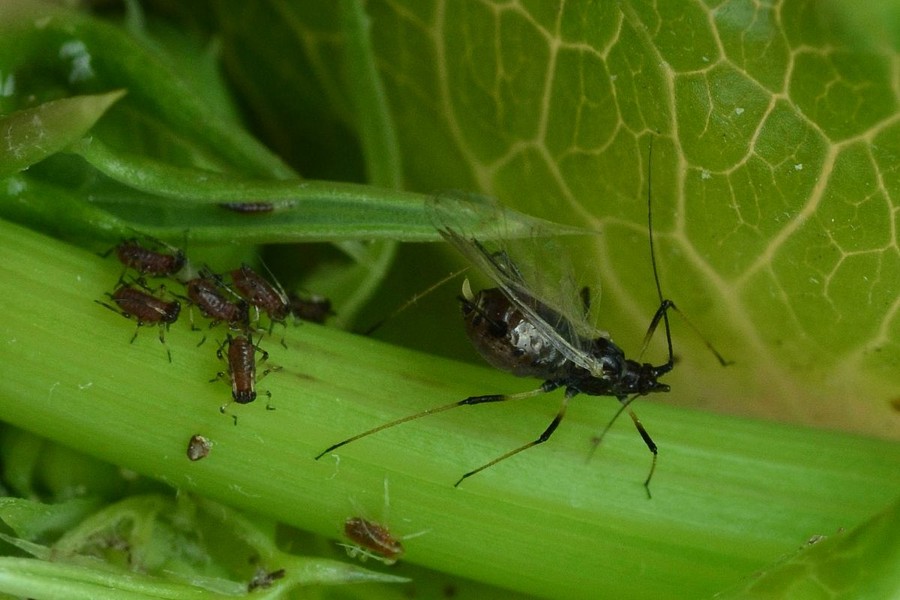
{"points": [[524, 257]]}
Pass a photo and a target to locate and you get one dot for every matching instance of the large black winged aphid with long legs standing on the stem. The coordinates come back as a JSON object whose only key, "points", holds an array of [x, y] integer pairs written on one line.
{"points": [[536, 327]]}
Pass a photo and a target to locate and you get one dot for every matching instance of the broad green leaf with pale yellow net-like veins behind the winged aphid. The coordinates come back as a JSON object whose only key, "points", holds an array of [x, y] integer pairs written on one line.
{"points": [[776, 145]]}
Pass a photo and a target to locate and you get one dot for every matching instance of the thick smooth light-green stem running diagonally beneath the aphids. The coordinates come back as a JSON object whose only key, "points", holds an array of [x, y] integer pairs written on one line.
{"points": [[730, 496]]}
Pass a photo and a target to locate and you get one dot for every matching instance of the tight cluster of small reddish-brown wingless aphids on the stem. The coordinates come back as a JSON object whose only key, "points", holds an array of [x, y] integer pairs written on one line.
{"points": [[237, 301]]}
